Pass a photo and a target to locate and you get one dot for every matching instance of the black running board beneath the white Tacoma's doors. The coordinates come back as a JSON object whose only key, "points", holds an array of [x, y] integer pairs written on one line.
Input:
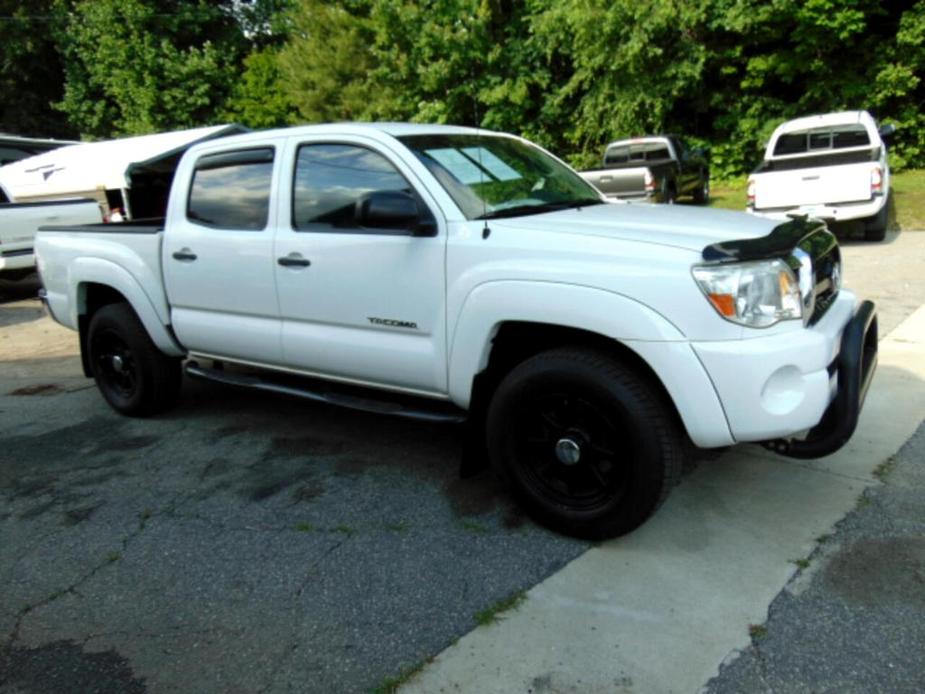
{"points": [[320, 391]]}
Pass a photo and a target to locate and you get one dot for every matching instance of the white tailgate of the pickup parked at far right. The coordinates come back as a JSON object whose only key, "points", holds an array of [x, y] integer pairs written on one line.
{"points": [[827, 185]]}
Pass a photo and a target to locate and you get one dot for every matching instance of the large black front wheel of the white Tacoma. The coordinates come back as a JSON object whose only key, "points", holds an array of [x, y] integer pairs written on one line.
{"points": [[587, 445]]}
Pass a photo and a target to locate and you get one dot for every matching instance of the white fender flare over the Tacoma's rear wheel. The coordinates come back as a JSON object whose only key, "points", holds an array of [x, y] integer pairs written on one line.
{"points": [[85, 271]]}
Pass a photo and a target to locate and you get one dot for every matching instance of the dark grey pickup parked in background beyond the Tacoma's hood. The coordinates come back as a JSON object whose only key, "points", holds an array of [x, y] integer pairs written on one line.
{"points": [[656, 169]]}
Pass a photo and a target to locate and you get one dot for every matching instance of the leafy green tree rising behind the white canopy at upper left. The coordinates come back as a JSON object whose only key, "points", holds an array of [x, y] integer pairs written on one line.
{"points": [[140, 66]]}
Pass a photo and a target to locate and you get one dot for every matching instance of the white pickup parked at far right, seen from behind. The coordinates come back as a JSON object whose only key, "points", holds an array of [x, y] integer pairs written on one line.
{"points": [[832, 167]]}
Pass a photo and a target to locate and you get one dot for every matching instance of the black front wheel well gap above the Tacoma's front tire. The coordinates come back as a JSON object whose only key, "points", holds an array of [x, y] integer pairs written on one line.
{"points": [[515, 342]]}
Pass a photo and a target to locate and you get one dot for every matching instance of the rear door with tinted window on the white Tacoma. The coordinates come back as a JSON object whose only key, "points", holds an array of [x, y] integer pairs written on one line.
{"points": [[218, 256]]}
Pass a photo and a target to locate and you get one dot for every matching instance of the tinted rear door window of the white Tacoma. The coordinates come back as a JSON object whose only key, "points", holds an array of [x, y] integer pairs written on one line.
{"points": [[231, 190]]}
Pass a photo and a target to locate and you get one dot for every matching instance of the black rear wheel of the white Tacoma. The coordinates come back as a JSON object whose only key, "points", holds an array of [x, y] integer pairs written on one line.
{"points": [[133, 375]]}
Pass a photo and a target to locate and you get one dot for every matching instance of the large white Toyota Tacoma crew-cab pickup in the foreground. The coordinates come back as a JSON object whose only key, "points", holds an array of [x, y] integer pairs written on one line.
{"points": [[452, 274]]}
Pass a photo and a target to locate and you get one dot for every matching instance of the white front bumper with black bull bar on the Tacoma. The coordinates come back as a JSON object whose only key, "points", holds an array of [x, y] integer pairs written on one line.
{"points": [[786, 383]]}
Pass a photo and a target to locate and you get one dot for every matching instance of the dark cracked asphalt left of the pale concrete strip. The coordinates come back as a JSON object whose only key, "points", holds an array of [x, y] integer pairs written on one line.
{"points": [[240, 543]]}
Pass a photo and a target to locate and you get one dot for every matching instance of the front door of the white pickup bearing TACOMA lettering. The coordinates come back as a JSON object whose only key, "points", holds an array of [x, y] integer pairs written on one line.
{"points": [[359, 304]]}
